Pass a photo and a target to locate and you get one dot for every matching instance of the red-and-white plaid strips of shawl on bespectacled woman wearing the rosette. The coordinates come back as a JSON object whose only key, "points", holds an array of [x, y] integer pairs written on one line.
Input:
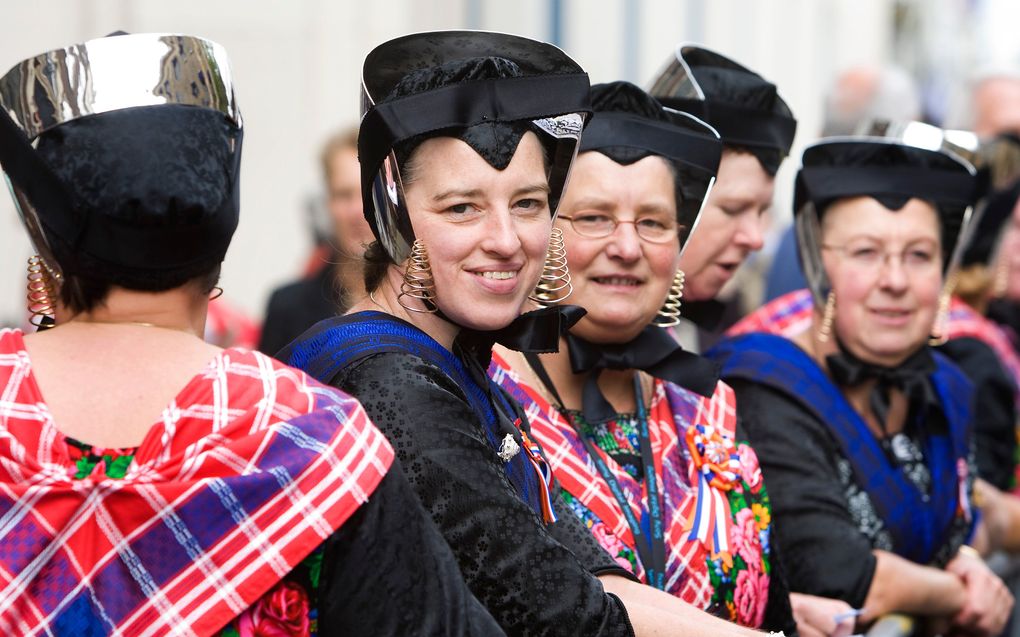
{"points": [[673, 411]]}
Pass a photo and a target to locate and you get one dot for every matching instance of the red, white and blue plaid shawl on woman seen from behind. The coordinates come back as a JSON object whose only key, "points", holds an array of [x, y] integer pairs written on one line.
{"points": [[250, 468]]}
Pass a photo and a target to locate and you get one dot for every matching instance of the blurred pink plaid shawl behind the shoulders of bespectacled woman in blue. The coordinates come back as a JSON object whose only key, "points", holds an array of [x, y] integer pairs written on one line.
{"points": [[791, 314]]}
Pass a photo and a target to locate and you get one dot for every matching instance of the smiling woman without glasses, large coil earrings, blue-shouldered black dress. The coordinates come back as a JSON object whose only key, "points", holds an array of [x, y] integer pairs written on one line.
{"points": [[466, 147]]}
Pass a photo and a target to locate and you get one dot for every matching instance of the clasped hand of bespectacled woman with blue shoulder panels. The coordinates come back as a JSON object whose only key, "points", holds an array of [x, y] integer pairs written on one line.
{"points": [[989, 603]]}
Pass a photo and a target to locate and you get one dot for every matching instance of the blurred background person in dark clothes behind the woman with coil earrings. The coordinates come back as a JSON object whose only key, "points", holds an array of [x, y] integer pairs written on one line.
{"points": [[334, 279]]}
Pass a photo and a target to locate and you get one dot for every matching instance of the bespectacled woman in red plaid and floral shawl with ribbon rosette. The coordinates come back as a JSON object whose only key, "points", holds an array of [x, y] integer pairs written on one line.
{"points": [[631, 421]]}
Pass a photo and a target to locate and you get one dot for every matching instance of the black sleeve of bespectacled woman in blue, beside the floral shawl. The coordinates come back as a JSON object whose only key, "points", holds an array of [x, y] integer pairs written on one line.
{"points": [[825, 554]]}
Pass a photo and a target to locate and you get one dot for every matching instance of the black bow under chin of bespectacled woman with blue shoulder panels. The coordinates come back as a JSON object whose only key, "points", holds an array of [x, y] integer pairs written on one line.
{"points": [[911, 378]]}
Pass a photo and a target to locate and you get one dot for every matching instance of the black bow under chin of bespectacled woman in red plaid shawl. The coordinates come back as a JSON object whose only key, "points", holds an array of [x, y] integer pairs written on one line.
{"points": [[653, 351]]}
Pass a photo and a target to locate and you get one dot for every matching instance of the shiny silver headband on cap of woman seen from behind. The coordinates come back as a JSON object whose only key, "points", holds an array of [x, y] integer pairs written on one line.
{"points": [[116, 73]]}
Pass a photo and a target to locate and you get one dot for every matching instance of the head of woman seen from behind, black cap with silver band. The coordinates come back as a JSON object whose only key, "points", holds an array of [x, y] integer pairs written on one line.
{"points": [[147, 182]]}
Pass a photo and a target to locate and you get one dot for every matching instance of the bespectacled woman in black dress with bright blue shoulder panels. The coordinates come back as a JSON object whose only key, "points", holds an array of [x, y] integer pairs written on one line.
{"points": [[864, 433]]}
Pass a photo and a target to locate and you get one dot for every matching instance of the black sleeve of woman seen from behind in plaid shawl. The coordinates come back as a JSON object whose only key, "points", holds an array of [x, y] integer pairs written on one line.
{"points": [[389, 572]]}
